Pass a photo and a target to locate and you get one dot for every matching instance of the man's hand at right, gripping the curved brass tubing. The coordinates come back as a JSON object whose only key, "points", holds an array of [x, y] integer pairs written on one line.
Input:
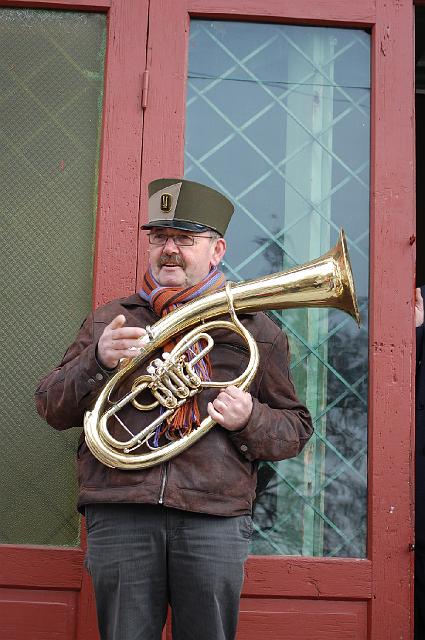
{"points": [[231, 409]]}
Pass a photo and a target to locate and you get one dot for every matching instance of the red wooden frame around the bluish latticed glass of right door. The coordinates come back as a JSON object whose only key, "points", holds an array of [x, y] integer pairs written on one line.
{"points": [[383, 580]]}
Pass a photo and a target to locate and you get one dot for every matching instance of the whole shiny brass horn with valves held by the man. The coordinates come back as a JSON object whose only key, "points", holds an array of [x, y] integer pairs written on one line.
{"points": [[324, 282]]}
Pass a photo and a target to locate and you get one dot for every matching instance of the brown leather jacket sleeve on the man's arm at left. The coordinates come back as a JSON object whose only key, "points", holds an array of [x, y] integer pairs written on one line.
{"points": [[64, 394]]}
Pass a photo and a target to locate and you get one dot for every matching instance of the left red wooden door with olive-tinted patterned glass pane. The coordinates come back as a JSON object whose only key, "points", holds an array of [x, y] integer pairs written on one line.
{"points": [[44, 590]]}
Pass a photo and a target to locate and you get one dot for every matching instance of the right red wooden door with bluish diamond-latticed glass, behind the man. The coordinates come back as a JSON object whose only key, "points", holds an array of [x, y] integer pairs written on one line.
{"points": [[324, 590]]}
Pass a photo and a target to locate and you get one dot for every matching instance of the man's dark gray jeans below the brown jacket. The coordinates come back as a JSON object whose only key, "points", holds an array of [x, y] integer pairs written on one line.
{"points": [[143, 558]]}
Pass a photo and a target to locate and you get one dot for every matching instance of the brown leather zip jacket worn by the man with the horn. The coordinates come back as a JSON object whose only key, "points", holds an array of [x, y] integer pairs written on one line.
{"points": [[216, 475]]}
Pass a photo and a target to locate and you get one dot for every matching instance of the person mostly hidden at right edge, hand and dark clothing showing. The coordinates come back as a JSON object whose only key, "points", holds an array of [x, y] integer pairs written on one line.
{"points": [[420, 469]]}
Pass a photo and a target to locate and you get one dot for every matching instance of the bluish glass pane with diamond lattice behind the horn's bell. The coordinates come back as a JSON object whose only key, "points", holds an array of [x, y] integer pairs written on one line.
{"points": [[278, 119]]}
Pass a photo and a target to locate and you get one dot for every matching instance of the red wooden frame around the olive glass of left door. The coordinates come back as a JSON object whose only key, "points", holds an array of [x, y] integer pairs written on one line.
{"points": [[55, 575]]}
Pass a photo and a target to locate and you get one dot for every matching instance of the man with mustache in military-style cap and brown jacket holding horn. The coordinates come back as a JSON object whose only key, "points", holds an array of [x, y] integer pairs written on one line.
{"points": [[177, 533]]}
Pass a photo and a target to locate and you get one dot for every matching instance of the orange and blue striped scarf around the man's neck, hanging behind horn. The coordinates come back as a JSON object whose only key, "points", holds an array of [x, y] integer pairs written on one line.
{"points": [[163, 300]]}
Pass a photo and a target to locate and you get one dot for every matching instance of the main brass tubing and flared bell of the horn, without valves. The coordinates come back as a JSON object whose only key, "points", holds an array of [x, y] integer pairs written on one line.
{"points": [[324, 282]]}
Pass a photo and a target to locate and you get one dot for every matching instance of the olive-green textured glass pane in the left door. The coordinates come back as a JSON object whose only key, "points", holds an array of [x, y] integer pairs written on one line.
{"points": [[51, 85]]}
